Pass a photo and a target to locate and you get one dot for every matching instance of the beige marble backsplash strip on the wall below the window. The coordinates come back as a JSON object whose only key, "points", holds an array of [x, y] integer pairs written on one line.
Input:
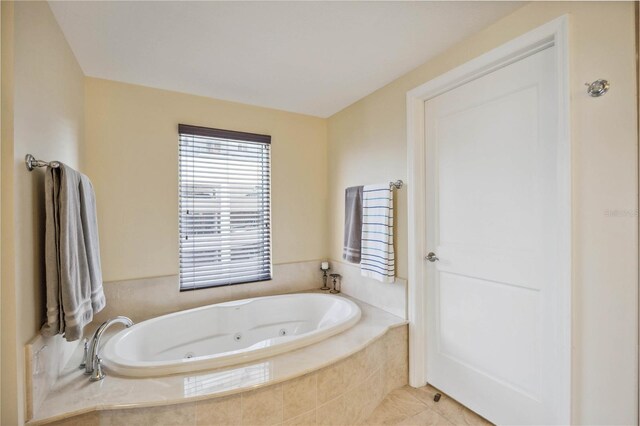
{"points": [[145, 298]]}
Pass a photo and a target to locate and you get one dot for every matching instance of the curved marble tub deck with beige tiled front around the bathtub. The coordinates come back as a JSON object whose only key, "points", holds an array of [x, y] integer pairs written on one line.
{"points": [[342, 369]]}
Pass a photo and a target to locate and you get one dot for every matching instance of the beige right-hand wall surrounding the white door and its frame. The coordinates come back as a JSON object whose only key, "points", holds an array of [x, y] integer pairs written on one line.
{"points": [[367, 143]]}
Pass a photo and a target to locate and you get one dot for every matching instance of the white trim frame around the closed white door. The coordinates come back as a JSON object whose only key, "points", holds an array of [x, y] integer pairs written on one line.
{"points": [[553, 33]]}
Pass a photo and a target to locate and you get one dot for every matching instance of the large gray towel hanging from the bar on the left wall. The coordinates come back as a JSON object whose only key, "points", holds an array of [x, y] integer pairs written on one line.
{"points": [[72, 253]]}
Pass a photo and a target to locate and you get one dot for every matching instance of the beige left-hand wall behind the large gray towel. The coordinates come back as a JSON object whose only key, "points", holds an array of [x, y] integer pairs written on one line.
{"points": [[47, 116]]}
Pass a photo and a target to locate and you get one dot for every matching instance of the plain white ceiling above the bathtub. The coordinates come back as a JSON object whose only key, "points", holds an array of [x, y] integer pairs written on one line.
{"points": [[308, 57]]}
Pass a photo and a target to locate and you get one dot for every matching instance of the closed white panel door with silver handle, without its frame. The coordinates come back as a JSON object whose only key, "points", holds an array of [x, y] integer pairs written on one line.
{"points": [[494, 216]]}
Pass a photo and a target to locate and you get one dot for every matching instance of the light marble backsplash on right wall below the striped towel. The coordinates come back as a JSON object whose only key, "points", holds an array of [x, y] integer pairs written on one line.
{"points": [[390, 297]]}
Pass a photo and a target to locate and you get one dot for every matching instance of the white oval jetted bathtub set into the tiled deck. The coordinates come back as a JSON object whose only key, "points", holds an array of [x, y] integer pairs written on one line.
{"points": [[227, 333]]}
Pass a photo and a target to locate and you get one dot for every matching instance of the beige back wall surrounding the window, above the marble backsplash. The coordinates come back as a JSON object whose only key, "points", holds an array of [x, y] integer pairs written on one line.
{"points": [[132, 156]]}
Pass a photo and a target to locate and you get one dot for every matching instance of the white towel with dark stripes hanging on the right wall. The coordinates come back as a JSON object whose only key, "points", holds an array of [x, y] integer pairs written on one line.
{"points": [[378, 260]]}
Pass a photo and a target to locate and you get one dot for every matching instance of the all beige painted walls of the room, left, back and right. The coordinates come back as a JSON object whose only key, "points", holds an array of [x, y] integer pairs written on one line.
{"points": [[131, 155]]}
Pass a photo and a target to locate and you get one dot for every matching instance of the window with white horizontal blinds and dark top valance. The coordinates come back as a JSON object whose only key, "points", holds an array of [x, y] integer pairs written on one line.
{"points": [[225, 207]]}
